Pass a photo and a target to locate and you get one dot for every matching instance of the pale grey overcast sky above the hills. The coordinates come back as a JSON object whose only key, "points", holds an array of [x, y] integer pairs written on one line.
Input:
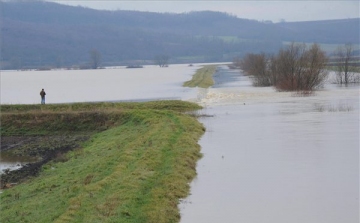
{"points": [[275, 11]]}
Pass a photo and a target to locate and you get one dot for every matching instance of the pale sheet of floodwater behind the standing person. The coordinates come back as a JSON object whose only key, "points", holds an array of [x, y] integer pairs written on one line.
{"points": [[116, 84]]}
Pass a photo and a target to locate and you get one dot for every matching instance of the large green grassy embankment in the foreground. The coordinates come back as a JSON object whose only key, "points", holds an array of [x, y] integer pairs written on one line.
{"points": [[135, 166]]}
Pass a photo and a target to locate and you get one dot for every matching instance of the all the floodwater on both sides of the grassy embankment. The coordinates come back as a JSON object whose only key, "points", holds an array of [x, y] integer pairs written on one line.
{"points": [[268, 156]]}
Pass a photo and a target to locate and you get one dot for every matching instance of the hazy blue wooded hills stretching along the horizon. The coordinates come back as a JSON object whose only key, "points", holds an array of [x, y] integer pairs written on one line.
{"points": [[41, 34]]}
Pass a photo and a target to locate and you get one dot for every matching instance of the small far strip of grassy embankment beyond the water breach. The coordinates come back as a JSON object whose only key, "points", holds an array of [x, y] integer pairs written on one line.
{"points": [[202, 78]]}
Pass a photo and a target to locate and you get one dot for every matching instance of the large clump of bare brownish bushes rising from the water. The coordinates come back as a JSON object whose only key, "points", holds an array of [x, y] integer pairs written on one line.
{"points": [[294, 68]]}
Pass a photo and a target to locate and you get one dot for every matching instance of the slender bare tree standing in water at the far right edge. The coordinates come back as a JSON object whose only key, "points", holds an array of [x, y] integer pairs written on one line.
{"points": [[344, 74]]}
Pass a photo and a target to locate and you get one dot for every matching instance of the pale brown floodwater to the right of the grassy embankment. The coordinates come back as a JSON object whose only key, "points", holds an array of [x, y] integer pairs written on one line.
{"points": [[276, 157]]}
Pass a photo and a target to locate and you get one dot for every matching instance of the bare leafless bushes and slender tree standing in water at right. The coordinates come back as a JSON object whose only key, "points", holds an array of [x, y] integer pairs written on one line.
{"points": [[297, 67]]}
